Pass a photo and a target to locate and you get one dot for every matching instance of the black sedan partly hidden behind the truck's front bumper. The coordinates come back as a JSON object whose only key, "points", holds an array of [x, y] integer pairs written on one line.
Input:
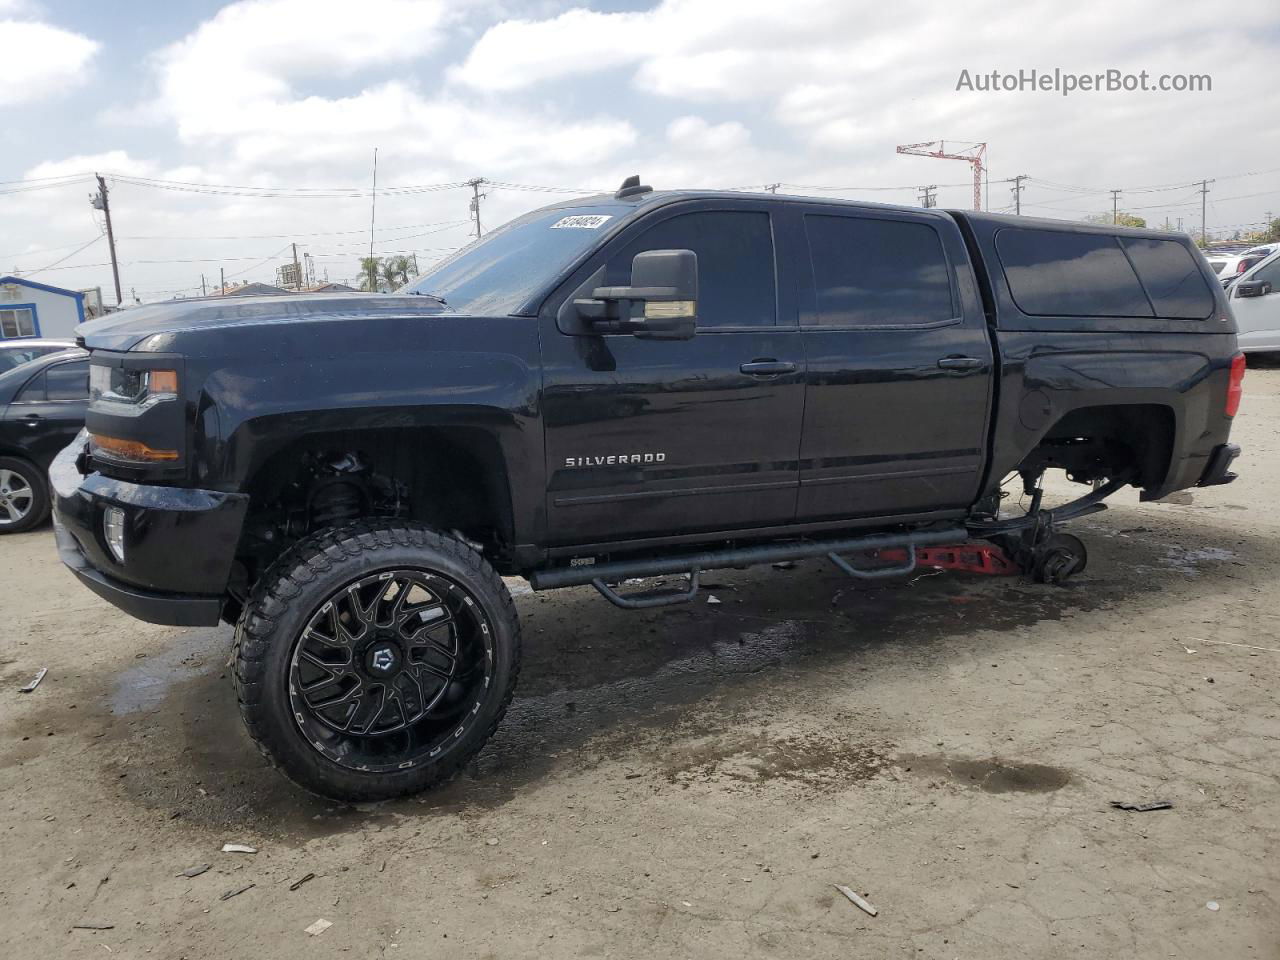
{"points": [[43, 406]]}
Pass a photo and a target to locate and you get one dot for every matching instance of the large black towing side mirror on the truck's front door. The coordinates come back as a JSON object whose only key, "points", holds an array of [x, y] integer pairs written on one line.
{"points": [[664, 287]]}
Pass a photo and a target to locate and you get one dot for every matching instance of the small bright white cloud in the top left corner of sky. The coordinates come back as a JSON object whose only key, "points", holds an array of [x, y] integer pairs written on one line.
{"points": [[40, 61]]}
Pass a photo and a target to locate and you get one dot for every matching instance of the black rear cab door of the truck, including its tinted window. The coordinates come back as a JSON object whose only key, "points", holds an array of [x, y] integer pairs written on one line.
{"points": [[899, 367]]}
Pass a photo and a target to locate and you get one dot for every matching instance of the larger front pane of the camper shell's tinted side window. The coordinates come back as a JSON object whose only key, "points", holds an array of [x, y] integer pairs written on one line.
{"points": [[1054, 273]]}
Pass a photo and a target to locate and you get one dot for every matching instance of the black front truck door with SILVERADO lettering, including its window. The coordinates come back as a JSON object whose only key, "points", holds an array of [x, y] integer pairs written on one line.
{"points": [[665, 438]]}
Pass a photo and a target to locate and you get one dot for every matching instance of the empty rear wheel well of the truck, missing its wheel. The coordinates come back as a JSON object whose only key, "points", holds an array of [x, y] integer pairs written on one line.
{"points": [[1092, 444]]}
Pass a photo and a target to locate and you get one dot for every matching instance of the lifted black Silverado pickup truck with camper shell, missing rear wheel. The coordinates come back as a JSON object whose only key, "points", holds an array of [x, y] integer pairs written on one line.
{"points": [[628, 386]]}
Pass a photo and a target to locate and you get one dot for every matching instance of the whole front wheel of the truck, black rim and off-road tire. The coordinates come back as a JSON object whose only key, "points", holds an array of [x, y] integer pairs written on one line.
{"points": [[377, 659]]}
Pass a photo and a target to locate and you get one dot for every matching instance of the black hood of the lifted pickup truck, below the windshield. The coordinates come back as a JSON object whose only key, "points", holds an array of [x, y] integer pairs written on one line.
{"points": [[156, 327]]}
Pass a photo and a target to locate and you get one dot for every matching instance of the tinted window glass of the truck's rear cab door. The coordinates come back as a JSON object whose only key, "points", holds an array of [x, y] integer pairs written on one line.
{"points": [[870, 272]]}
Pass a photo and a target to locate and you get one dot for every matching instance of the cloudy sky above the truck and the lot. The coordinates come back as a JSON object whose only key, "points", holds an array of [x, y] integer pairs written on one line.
{"points": [[228, 132]]}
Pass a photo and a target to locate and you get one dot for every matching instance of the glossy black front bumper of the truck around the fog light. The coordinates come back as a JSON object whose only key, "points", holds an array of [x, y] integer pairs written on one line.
{"points": [[180, 543]]}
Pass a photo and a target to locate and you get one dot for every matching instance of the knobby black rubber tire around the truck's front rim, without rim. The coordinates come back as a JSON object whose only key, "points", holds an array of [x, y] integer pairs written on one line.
{"points": [[298, 586]]}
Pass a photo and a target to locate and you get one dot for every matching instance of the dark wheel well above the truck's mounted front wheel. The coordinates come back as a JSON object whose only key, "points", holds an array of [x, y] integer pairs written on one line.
{"points": [[451, 478]]}
